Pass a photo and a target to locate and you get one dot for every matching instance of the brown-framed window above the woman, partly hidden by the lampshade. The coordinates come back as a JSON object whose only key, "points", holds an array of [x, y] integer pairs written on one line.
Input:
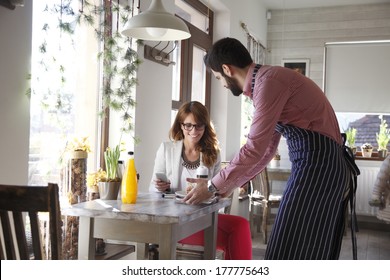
{"points": [[193, 83]]}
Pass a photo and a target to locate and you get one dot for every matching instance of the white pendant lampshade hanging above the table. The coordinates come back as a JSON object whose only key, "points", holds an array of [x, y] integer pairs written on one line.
{"points": [[156, 24]]}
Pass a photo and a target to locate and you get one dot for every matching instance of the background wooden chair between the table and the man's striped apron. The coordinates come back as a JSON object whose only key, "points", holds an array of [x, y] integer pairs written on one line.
{"points": [[261, 203]]}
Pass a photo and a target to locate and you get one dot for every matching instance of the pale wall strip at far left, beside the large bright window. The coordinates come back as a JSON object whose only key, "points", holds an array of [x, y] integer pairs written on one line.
{"points": [[15, 58]]}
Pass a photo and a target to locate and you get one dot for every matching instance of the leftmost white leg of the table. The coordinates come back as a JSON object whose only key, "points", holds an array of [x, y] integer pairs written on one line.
{"points": [[86, 240]]}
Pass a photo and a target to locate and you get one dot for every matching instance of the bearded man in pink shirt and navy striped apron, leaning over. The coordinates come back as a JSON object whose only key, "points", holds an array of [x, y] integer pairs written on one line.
{"points": [[310, 220]]}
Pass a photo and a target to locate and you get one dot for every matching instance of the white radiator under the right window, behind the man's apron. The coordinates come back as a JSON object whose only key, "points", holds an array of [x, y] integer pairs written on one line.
{"points": [[365, 184]]}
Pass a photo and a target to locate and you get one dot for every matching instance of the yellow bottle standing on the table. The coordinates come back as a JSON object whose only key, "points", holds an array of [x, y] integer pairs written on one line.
{"points": [[129, 188]]}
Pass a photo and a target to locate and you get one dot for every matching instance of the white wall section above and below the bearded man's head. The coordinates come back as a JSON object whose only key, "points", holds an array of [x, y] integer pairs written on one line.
{"points": [[227, 117]]}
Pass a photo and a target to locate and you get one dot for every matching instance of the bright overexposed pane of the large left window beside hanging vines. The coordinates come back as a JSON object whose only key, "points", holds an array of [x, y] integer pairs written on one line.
{"points": [[67, 93]]}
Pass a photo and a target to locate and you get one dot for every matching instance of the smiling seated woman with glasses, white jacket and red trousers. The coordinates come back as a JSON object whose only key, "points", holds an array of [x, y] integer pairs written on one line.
{"points": [[192, 134]]}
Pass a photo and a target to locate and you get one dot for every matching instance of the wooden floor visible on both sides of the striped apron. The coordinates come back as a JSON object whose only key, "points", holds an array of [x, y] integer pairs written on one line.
{"points": [[372, 244]]}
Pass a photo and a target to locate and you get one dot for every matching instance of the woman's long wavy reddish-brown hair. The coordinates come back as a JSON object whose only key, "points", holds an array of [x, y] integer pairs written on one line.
{"points": [[208, 144]]}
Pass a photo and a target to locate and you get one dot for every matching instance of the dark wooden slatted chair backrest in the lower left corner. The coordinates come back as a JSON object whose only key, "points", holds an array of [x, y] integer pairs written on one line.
{"points": [[17, 203]]}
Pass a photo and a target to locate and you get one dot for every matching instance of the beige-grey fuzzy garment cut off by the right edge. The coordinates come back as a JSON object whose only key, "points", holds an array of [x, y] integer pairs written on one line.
{"points": [[381, 192]]}
